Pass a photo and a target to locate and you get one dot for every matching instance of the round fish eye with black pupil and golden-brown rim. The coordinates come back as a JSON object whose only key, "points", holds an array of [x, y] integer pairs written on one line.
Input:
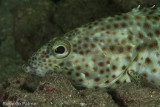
{"points": [[61, 49]]}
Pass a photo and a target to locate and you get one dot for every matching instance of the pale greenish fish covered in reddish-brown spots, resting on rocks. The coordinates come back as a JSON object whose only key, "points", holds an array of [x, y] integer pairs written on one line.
{"points": [[106, 52]]}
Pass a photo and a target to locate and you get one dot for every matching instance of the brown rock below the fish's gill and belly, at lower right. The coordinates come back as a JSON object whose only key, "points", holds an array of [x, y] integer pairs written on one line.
{"points": [[134, 95]]}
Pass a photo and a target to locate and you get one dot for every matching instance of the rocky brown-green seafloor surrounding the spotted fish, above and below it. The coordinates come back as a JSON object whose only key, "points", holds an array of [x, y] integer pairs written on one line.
{"points": [[25, 25]]}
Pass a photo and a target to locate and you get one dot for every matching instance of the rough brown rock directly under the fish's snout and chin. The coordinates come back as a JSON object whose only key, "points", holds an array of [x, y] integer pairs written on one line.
{"points": [[53, 90]]}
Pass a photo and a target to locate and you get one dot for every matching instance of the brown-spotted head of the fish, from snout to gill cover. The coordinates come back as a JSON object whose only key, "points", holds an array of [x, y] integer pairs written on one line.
{"points": [[84, 59]]}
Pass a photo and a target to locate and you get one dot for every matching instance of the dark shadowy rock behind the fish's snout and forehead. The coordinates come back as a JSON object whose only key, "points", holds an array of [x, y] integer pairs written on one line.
{"points": [[32, 26]]}
